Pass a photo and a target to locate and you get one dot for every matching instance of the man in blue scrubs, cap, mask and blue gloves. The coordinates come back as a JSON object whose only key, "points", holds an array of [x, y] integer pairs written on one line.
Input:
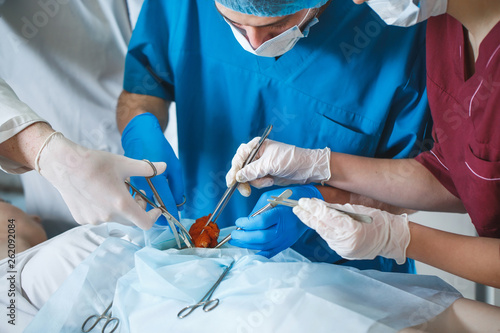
{"points": [[323, 73]]}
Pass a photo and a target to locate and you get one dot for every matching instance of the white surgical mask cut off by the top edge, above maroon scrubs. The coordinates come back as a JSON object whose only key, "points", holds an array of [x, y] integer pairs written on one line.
{"points": [[405, 13]]}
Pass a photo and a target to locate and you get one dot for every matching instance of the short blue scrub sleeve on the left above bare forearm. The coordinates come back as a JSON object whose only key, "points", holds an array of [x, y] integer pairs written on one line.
{"points": [[146, 69]]}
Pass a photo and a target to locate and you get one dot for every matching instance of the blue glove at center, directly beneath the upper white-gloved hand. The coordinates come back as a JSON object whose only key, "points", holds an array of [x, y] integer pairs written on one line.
{"points": [[275, 230]]}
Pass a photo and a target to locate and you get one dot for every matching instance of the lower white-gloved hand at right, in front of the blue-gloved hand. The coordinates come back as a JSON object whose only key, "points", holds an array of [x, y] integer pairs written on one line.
{"points": [[388, 235]]}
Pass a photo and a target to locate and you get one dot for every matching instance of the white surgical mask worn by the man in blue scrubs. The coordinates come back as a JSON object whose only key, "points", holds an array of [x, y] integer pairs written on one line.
{"points": [[278, 45]]}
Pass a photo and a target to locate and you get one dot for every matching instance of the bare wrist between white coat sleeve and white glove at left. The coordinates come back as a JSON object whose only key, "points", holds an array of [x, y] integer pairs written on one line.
{"points": [[24, 146]]}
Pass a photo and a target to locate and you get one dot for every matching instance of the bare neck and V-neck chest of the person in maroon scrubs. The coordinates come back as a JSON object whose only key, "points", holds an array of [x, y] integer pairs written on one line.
{"points": [[477, 16]]}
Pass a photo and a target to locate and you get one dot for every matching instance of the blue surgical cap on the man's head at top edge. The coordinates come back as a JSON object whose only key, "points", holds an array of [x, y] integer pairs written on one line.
{"points": [[270, 7]]}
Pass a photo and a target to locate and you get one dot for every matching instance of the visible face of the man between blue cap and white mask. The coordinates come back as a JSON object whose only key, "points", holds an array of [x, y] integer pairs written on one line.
{"points": [[258, 29]]}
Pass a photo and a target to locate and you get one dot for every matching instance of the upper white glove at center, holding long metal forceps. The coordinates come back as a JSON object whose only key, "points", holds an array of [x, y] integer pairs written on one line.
{"points": [[277, 163]]}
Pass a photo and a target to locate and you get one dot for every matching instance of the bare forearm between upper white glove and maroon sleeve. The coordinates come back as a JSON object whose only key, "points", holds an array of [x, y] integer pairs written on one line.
{"points": [[402, 183]]}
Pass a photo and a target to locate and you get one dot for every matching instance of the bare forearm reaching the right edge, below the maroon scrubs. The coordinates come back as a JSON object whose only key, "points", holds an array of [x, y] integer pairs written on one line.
{"points": [[473, 258]]}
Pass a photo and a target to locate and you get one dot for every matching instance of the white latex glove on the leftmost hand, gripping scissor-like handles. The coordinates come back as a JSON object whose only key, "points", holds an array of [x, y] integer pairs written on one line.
{"points": [[92, 184]]}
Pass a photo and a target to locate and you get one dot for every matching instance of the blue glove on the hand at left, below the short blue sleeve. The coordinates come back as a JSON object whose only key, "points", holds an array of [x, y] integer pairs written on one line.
{"points": [[143, 138]]}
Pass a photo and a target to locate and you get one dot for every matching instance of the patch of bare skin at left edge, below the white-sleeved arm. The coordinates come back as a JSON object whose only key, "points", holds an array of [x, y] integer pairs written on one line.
{"points": [[28, 230]]}
